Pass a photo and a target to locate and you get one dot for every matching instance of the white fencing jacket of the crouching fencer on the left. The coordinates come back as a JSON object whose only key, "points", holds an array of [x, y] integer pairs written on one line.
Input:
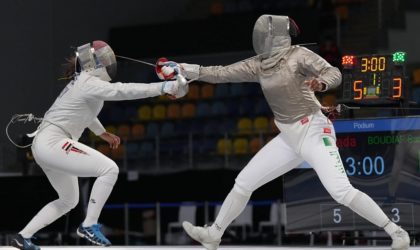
{"points": [[80, 102]]}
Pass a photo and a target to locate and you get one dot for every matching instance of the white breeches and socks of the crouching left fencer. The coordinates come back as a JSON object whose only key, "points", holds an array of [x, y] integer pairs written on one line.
{"points": [[63, 160]]}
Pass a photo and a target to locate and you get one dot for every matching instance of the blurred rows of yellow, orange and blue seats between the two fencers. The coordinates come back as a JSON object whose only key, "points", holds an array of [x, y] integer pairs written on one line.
{"points": [[223, 119]]}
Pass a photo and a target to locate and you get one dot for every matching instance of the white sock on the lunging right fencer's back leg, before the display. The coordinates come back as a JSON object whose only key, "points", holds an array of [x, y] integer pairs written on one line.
{"points": [[363, 205]]}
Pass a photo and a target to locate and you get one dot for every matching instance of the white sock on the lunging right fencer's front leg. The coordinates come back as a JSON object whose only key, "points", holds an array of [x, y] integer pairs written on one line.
{"points": [[231, 208]]}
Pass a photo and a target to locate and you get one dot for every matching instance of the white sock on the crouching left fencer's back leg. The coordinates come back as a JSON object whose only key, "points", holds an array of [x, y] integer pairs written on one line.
{"points": [[48, 214]]}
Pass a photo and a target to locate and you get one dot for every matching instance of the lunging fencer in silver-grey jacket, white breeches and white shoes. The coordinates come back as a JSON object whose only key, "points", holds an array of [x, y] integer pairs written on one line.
{"points": [[288, 76]]}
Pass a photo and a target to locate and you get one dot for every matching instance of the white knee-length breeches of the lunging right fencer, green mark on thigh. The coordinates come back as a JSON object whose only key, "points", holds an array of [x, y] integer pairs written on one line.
{"points": [[312, 140]]}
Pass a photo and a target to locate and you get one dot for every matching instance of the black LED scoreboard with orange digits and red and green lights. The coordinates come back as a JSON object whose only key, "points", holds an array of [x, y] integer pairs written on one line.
{"points": [[374, 79]]}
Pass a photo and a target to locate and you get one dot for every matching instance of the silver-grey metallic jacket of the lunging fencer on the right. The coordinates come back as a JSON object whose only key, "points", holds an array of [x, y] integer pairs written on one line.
{"points": [[283, 83]]}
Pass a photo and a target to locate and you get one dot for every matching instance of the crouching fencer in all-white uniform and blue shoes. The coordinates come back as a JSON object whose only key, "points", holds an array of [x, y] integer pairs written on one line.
{"points": [[63, 159]]}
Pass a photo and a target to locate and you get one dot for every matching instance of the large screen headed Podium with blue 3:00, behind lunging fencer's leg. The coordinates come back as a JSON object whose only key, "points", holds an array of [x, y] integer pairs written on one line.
{"points": [[381, 158]]}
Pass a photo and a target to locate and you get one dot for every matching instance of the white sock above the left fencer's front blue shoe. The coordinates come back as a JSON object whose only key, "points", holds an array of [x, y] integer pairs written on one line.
{"points": [[100, 193]]}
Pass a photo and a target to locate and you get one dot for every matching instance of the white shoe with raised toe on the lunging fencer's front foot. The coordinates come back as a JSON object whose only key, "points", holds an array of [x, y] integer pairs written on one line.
{"points": [[202, 235]]}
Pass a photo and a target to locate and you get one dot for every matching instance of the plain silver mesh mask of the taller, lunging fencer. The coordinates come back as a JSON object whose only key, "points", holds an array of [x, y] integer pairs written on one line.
{"points": [[273, 32]]}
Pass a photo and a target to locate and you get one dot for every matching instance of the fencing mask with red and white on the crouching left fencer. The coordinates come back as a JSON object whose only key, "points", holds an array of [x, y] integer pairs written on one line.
{"points": [[98, 59]]}
